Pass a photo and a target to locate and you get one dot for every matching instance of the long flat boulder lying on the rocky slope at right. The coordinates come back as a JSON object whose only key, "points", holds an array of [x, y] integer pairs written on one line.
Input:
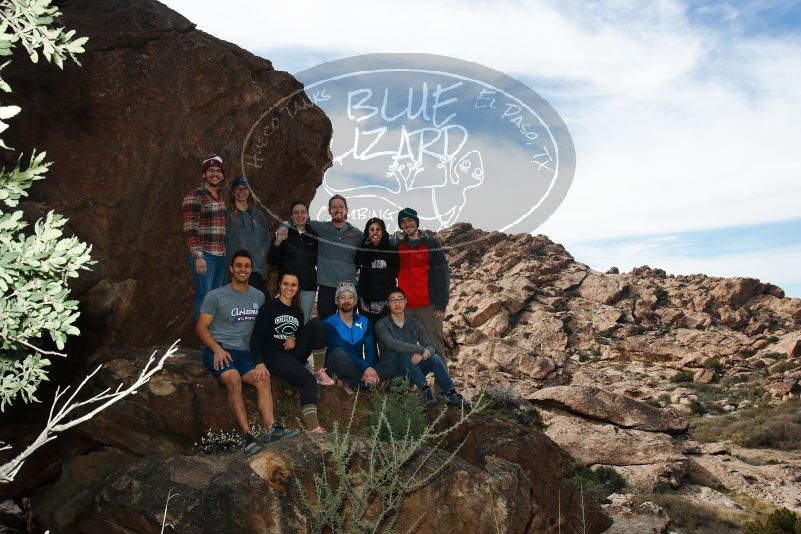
{"points": [[601, 405]]}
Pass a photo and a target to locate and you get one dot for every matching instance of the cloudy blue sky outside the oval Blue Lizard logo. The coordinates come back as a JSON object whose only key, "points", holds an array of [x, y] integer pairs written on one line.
{"points": [[685, 116]]}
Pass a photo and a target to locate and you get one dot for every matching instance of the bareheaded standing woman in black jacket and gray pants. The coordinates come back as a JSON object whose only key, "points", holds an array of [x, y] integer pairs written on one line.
{"points": [[295, 250]]}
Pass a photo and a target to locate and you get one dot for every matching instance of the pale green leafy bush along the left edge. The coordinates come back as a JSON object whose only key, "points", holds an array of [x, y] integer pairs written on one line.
{"points": [[35, 266]]}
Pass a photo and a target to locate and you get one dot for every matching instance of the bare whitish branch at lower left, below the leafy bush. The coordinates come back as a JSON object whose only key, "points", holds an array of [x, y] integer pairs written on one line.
{"points": [[57, 422]]}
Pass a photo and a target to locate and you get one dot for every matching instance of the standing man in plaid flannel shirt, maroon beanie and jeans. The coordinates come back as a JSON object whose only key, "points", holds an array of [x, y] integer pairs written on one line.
{"points": [[204, 228]]}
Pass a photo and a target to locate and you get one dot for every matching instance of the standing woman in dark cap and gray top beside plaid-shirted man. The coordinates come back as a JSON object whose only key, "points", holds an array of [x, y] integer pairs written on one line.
{"points": [[246, 228]]}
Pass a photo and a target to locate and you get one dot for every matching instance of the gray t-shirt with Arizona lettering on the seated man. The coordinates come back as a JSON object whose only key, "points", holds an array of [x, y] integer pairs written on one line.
{"points": [[234, 315]]}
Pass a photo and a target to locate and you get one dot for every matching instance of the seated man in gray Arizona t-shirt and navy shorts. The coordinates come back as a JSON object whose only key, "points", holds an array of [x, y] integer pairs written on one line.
{"points": [[226, 322]]}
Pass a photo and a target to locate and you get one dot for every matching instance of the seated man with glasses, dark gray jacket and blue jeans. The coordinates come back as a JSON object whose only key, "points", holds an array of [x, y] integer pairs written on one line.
{"points": [[403, 339]]}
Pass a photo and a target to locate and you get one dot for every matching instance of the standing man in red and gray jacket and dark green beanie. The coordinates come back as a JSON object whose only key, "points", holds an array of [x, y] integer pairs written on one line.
{"points": [[423, 276]]}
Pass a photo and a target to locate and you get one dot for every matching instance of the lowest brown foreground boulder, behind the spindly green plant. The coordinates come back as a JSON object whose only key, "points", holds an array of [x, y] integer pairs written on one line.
{"points": [[277, 490]]}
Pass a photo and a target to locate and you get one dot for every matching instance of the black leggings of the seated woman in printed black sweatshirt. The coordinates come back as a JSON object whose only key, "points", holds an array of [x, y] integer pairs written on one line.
{"points": [[290, 366]]}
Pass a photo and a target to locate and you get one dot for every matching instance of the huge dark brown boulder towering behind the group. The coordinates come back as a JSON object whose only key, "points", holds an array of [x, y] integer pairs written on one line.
{"points": [[126, 132]]}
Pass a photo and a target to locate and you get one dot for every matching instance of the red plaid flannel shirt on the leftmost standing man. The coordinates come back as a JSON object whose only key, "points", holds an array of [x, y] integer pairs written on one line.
{"points": [[204, 223]]}
